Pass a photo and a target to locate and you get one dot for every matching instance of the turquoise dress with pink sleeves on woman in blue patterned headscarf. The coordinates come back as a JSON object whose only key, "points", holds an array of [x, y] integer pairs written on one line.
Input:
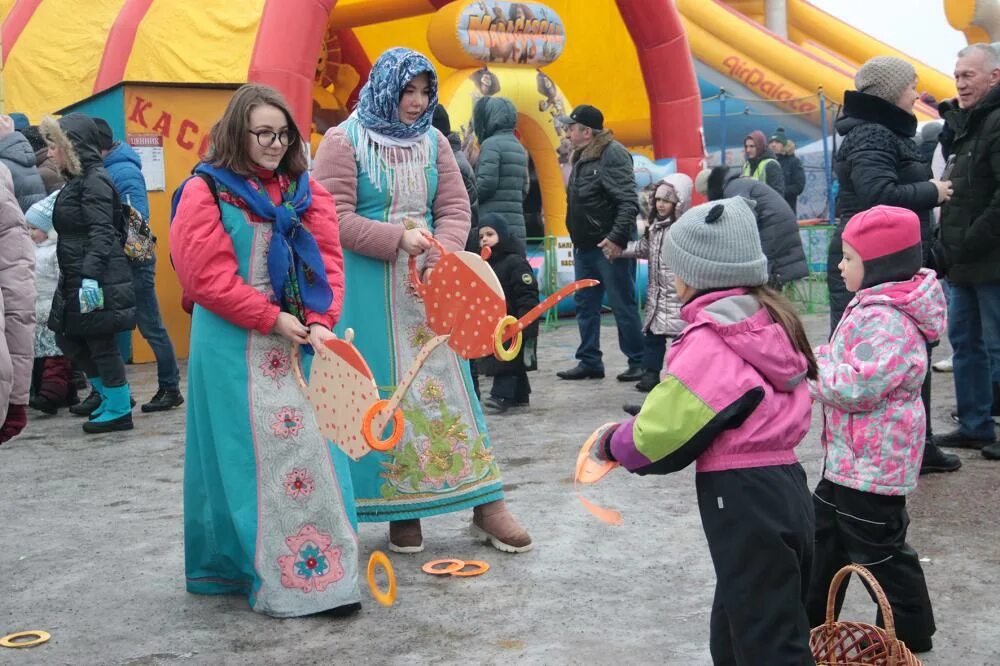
{"points": [[443, 462]]}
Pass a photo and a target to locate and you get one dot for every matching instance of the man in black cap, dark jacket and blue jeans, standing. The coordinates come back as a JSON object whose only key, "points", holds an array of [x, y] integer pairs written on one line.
{"points": [[602, 205]]}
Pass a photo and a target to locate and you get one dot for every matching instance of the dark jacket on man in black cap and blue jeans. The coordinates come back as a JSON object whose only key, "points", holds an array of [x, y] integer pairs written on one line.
{"points": [[602, 201]]}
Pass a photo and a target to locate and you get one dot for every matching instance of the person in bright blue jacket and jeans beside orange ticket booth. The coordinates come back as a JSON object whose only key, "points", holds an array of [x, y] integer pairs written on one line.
{"points": [[125, 168]]}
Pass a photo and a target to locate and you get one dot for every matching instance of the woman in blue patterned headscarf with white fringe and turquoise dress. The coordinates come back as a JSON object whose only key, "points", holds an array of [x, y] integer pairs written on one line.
{"points": [[396, 183]]}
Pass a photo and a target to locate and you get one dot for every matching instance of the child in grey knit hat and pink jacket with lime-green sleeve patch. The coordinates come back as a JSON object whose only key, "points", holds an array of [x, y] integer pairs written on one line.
{"points": [[734, 397]]}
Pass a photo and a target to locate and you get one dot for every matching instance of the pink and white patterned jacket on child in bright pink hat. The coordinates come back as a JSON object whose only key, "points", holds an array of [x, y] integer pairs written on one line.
{"points": [[869, 385]]}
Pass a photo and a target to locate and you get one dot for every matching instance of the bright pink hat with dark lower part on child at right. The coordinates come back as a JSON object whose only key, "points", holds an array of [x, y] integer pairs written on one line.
{"points": [[887, 239]]}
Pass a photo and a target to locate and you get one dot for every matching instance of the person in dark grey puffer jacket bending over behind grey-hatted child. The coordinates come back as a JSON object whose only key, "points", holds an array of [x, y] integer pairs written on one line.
{"points": [[779, 231]]}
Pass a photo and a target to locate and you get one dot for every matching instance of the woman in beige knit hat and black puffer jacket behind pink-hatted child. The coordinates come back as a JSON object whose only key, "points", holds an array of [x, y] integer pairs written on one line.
{"points": [[879, 163]]}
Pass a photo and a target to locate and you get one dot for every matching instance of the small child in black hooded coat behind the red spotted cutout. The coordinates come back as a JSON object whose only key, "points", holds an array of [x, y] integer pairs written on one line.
{"points": [[507, 259]]}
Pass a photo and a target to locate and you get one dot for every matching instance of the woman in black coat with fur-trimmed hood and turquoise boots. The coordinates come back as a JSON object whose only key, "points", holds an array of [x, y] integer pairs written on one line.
{"points": [[95, 298]]}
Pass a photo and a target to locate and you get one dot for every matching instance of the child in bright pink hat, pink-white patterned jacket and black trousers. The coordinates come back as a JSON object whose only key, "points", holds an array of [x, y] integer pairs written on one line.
{"points": [[873, 420]]}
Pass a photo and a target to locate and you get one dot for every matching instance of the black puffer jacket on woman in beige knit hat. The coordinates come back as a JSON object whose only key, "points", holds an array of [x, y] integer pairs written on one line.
{"points": [[877, 164]]}
